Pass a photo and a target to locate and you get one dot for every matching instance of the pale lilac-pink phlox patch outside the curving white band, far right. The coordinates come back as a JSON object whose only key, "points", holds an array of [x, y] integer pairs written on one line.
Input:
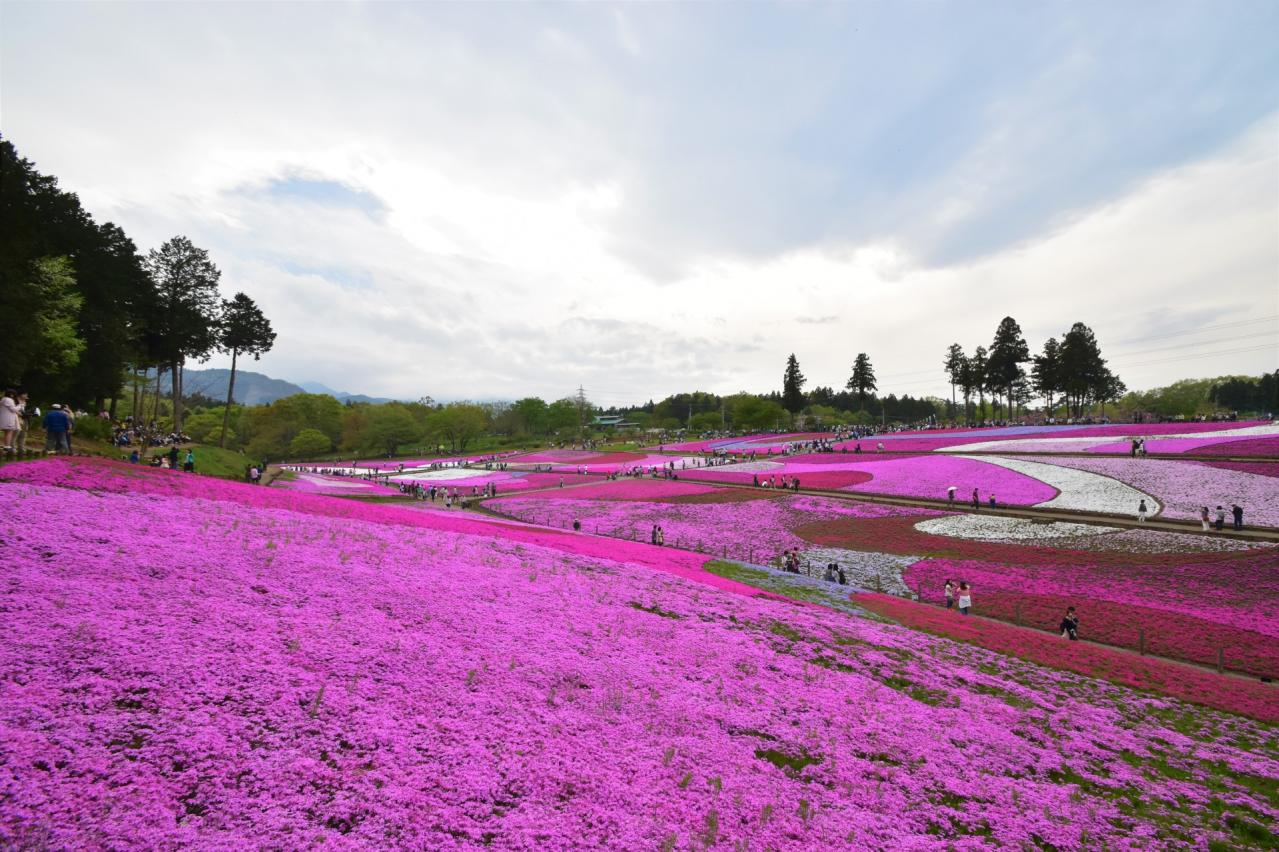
{"points": [[1185, 487]]}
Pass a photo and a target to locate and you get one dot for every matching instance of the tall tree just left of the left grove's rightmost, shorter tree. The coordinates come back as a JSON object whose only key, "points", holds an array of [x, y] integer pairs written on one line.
{"points": [[186, 323]]}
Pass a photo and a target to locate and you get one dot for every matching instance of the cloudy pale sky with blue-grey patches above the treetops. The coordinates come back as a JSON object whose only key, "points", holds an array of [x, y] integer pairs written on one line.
{"points": [[494, 200]]}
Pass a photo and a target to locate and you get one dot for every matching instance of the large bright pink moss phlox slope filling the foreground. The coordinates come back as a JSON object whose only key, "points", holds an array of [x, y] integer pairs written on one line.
{"points": [[221, 667]]}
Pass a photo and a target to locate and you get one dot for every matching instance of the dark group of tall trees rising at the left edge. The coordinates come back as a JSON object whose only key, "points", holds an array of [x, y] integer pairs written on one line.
{"points": [[82, 313]]}
